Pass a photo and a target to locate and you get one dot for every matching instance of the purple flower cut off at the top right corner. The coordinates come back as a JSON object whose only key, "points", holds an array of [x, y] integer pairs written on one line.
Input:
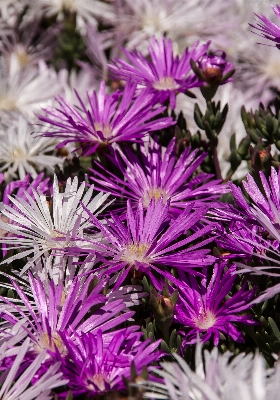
{"points": [[268, 29]]}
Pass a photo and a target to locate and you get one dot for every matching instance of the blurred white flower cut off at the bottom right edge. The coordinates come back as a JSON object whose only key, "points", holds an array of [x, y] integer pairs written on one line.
{"points": [[216, 376]]}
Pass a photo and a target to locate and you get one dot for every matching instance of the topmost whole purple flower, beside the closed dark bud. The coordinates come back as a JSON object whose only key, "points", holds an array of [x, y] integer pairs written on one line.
{"points": [[165, 73]]}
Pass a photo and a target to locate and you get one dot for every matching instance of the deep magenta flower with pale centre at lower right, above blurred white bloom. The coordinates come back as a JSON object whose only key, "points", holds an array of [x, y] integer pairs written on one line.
{"points": [[203, 309]]}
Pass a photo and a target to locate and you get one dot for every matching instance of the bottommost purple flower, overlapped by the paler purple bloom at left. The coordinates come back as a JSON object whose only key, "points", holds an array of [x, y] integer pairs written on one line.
{"points": [[93, 367]]}
